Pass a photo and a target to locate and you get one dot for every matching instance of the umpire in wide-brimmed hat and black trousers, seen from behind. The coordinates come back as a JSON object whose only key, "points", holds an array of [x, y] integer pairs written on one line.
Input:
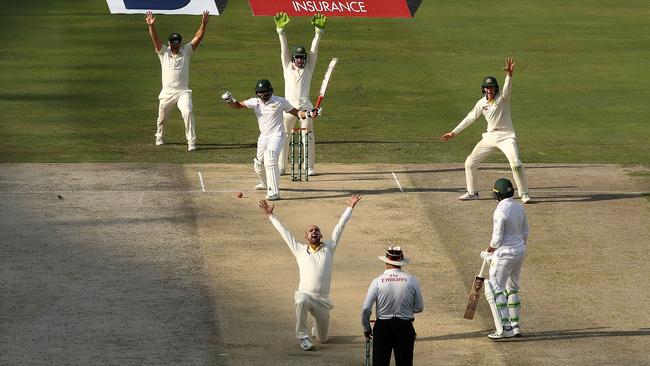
{"points": [[397, 296]]}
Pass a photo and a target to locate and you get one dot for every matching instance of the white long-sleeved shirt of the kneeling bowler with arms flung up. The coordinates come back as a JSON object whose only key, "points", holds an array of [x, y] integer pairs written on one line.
{"points": [[315, 266]]}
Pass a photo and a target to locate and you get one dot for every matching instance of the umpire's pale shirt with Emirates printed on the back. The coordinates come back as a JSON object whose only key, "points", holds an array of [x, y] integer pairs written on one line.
{"points": [[396, 293]]}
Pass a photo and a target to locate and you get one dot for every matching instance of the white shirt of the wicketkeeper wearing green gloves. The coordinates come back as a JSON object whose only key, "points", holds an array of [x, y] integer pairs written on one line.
{"points": [[297, 81]]}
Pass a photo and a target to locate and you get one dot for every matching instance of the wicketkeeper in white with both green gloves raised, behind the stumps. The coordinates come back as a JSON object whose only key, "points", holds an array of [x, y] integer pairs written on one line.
{"points": [[298, 69]]}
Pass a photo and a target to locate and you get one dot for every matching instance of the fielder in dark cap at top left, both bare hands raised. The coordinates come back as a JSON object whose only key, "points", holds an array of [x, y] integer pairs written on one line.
{"points": [[175, 66]]}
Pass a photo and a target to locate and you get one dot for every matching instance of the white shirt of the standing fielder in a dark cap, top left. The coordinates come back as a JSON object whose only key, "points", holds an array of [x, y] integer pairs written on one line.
{"points": [[175, 70]]}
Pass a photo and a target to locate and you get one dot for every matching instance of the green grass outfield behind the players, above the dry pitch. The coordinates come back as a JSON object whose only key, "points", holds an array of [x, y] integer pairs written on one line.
{"points": [[81, 85]]}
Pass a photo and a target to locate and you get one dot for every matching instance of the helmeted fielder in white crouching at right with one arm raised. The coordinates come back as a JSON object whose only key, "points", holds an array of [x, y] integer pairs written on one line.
{"points": [[495, 106]]}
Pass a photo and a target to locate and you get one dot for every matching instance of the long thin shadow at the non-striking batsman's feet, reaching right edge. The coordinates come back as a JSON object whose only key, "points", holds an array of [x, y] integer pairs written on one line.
{"points": [[551, 335]]}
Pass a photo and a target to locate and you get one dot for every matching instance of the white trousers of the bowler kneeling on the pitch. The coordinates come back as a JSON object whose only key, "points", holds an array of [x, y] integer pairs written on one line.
{"points": [[318, 308]]}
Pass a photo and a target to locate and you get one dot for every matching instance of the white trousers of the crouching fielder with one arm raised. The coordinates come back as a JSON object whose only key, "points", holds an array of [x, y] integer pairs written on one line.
{"points": [[504, 141]]}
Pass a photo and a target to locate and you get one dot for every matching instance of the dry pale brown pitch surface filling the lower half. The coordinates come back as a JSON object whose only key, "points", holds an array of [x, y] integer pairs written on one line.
{"points": [[130, 264]]}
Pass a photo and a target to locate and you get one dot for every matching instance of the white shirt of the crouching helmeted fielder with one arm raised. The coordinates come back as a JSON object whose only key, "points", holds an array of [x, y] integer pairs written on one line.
{"points": [[496, 112]]}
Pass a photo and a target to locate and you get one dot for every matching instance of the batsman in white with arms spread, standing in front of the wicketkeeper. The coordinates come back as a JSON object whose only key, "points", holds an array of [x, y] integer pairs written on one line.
{"points": [[268, 110]]}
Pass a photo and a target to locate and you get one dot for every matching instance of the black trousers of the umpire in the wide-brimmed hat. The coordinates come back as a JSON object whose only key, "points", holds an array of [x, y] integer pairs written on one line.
{"points": [[393, 335]]}
